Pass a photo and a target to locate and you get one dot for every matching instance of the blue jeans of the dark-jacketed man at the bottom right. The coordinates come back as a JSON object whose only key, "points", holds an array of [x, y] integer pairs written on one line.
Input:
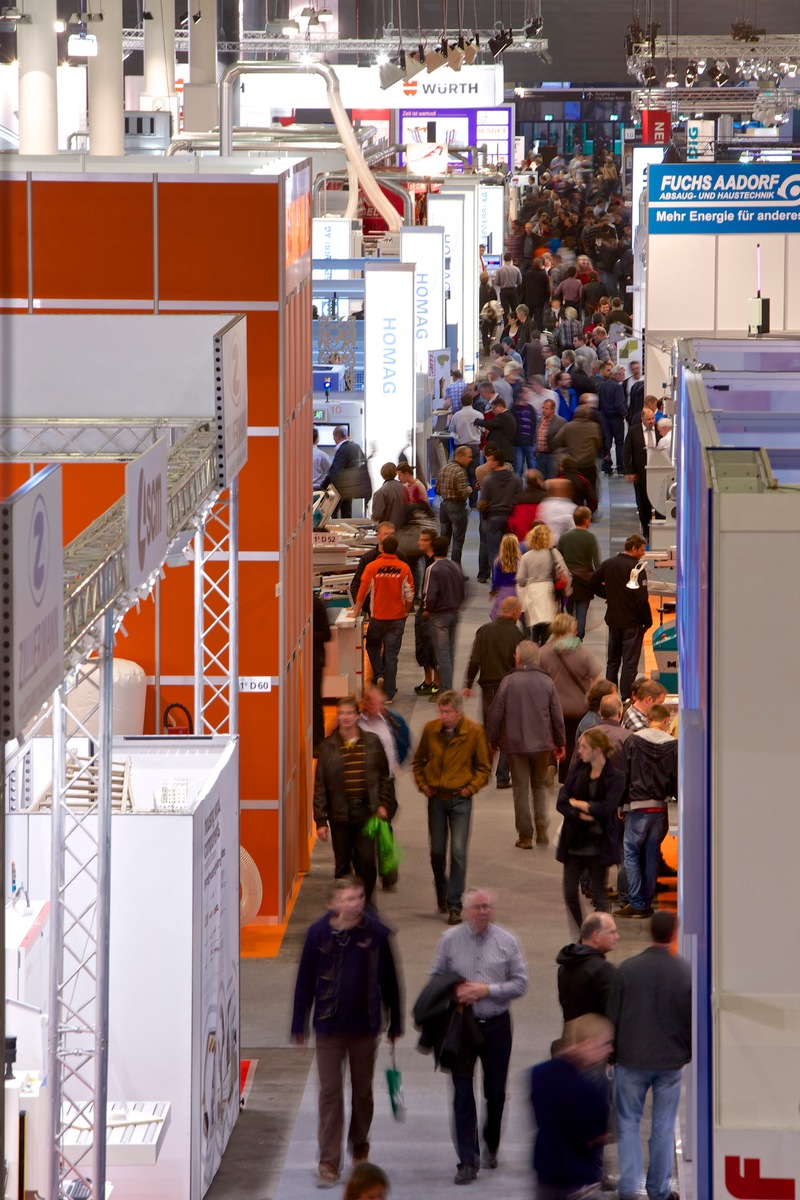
{"points": [[631, 1088]]}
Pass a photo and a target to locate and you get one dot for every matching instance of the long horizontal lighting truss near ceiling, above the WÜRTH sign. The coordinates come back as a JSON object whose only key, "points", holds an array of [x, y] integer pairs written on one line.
{"points": [[254, 43]]}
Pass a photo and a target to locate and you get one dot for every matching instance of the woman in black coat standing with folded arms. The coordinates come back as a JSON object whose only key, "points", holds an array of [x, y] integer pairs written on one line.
{"points": [[590, 841]]}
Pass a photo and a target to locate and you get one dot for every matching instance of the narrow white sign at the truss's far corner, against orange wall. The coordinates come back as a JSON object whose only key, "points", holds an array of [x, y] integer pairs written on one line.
{"points": [[231, 400]]}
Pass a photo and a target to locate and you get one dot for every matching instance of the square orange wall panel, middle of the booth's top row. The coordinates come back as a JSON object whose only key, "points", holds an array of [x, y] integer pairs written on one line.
{"points": [[113, 223]]}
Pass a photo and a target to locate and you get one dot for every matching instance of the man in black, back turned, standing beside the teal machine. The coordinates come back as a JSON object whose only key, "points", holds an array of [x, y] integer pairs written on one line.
{"points": [[628, 611]]}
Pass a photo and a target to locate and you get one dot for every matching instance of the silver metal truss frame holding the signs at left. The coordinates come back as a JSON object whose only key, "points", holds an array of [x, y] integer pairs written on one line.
{"points": [[97, 599]]}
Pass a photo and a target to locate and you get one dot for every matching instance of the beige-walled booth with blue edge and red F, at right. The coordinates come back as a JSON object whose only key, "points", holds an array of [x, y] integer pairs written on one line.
{"points": [[739, 532]]}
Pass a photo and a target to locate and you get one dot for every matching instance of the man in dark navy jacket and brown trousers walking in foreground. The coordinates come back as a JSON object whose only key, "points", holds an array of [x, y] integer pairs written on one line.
{"points": [[347, 971]]}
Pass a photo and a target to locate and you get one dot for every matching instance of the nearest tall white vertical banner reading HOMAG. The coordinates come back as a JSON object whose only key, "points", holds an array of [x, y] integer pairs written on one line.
{"points": [[389, 362]]}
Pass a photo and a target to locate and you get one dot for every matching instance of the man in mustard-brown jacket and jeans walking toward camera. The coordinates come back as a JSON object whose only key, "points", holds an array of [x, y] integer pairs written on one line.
{"points": [[452, 765]]}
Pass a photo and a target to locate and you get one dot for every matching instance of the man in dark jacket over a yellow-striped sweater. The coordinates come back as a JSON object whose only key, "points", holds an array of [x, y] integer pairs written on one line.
{"points": [[353, 783]]}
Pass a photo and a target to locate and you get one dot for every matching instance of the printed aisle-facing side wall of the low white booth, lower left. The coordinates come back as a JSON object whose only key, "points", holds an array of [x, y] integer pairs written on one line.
{"points": [[219, 1093]]}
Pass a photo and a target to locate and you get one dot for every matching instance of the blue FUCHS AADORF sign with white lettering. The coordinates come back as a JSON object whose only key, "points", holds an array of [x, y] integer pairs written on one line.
{"points": [[724, 199]]}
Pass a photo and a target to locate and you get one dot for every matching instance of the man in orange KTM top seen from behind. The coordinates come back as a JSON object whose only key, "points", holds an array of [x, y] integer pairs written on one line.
{"points": [[390, 586]]}
